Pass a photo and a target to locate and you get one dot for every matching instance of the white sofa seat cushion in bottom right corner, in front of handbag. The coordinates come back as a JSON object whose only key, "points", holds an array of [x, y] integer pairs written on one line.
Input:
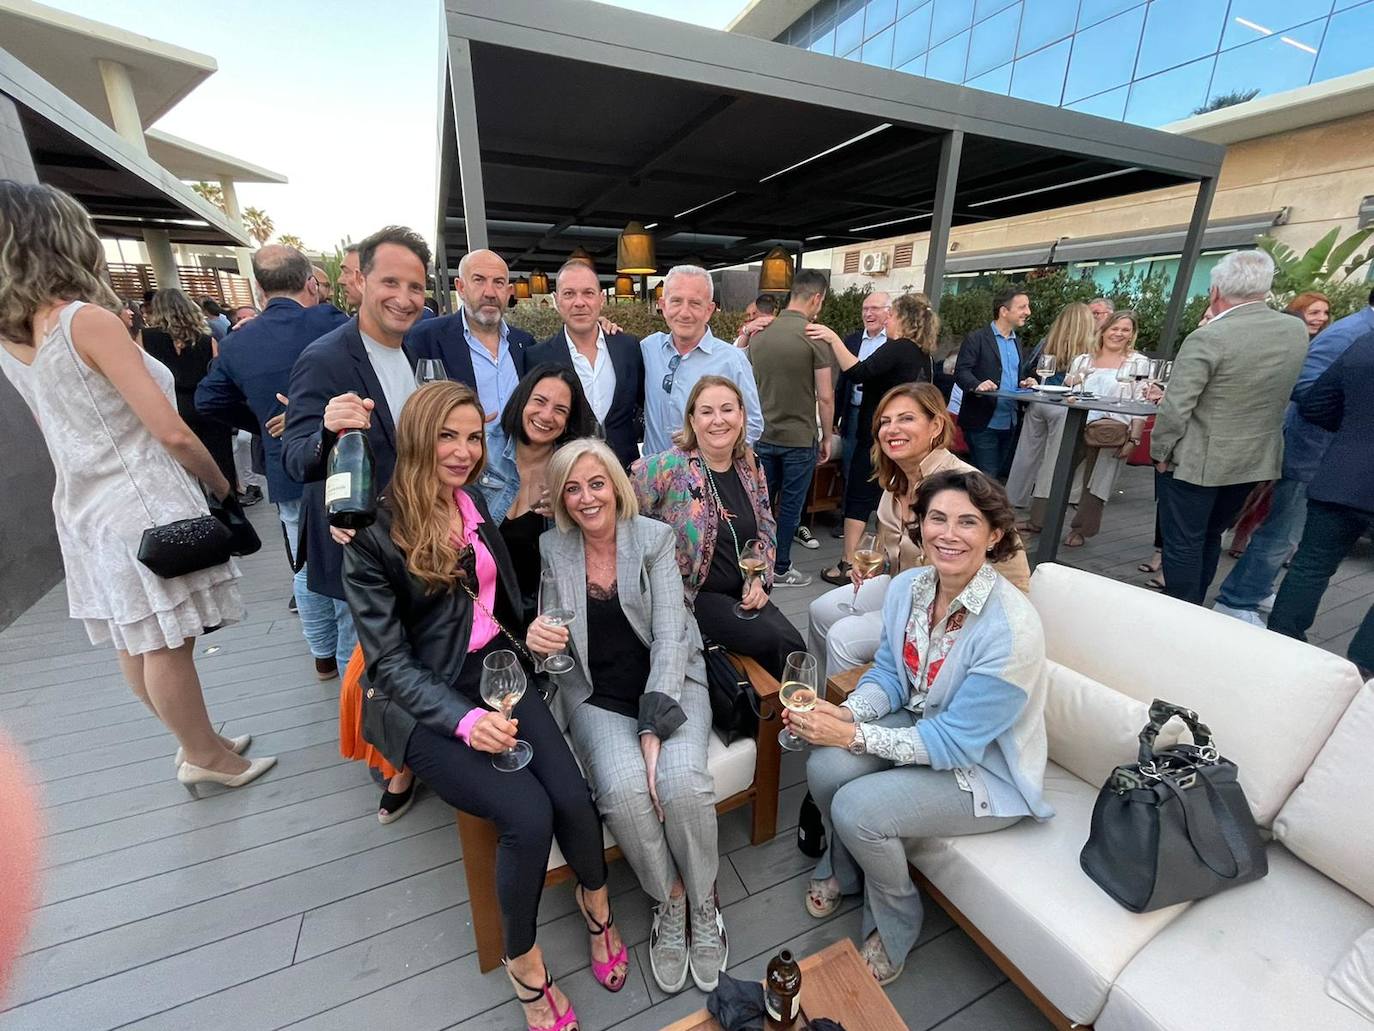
{"points": [[1257, 959]]}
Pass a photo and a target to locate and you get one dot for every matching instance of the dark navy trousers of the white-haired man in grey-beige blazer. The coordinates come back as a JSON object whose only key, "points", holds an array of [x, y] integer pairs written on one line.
{"points": [[1192, 522]]}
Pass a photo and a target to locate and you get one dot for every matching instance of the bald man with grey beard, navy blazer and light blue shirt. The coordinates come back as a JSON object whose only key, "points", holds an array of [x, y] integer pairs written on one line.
{"points": [[476, 346]]}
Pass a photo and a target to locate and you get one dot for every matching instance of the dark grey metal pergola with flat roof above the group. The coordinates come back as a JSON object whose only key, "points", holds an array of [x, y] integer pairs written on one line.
{"points": [[564, 120]]}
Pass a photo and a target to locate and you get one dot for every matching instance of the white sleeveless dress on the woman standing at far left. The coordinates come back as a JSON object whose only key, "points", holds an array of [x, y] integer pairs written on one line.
{"points": [[113, 482]]}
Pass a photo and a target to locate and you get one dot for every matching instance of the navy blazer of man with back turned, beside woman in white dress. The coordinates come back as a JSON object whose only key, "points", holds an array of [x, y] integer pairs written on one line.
{"points": [[254, 368]]}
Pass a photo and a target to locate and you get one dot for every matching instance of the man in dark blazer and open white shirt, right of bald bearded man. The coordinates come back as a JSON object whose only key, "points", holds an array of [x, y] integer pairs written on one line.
{"points": [[611, 366]]}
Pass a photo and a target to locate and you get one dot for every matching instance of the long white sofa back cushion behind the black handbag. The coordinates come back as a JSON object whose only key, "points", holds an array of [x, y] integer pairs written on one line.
{"points": [[1272, 702]]}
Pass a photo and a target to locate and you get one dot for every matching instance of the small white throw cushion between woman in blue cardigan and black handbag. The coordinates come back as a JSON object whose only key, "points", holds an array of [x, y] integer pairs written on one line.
{"points": [[1093, 729]]}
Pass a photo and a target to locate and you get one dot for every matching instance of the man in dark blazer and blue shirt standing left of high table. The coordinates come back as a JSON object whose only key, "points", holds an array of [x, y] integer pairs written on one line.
{"points": [[994, 358]]}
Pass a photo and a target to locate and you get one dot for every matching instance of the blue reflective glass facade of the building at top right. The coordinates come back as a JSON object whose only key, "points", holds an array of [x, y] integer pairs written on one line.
{"points": [[1142, 61]]}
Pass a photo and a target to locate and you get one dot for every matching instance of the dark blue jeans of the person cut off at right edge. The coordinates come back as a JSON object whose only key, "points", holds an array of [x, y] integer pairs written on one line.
{"points": [[1328, 538]]}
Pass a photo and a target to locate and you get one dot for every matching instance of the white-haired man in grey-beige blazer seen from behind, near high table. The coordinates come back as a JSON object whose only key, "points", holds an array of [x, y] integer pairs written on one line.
{"points": [[1221, 425]]}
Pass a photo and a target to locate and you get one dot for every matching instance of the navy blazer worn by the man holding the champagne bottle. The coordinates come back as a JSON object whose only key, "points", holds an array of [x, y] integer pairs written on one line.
{"points": [[336, 364]]}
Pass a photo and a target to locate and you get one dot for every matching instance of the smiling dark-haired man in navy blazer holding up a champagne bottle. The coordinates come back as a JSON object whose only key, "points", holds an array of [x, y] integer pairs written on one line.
{"points": [[355, 377]]}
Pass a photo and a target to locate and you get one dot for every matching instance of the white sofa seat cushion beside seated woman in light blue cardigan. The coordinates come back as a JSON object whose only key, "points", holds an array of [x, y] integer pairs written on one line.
{"points": [[1023, 889]]}
